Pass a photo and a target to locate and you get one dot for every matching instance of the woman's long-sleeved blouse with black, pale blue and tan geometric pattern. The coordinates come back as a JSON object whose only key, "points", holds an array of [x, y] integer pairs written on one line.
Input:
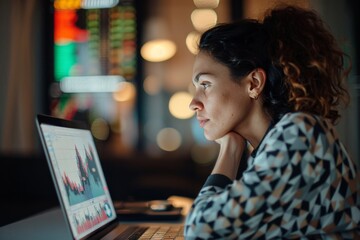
{"points": [[299, 184]]}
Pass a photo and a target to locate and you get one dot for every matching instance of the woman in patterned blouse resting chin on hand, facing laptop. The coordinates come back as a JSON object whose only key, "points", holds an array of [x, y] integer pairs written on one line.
{"points": [[276, 86]]}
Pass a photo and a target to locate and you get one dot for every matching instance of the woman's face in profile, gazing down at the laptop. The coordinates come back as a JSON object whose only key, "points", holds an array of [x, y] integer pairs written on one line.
{"points": [[221, 104]]}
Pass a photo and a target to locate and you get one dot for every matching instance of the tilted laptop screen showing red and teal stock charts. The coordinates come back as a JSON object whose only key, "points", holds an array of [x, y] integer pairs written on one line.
{"points": [[77, 172]]}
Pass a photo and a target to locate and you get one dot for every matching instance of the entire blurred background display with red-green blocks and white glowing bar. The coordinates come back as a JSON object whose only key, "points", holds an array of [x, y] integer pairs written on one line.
{"points": [[94, 47]]}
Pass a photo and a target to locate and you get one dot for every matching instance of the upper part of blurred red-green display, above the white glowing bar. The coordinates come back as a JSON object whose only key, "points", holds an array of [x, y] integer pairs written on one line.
{"points": [[94, 42]]}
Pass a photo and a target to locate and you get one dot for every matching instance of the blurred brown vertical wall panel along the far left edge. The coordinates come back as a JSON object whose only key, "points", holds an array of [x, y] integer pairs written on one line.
{"points": [[22, 66]]}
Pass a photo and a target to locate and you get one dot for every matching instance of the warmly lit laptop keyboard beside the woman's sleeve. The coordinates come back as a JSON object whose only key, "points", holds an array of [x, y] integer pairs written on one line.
{"points": [[157, 233]]}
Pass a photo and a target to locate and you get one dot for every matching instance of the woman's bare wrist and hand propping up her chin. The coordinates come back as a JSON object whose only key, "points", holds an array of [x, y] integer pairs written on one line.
{"points": [[232, 146]]}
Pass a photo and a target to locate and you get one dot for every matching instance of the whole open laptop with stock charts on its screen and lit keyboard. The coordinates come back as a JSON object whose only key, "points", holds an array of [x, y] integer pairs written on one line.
{"points": [[81, 186]]}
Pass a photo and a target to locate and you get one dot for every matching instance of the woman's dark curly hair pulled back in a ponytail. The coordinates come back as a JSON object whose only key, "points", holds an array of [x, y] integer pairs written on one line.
{"points": [[304, 65]]}
